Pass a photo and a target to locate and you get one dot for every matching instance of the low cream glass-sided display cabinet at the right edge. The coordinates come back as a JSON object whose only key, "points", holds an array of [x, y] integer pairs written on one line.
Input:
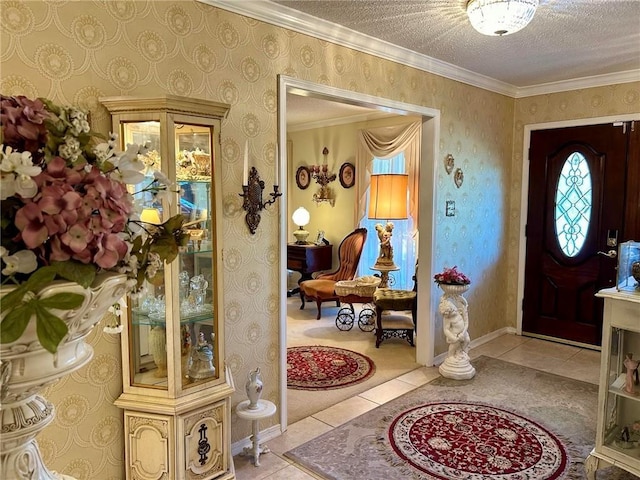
{"points": [[618, 428]]}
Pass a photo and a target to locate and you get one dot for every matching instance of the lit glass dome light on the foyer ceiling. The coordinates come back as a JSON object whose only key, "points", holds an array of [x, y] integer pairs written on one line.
{"points": [[500, 17]]}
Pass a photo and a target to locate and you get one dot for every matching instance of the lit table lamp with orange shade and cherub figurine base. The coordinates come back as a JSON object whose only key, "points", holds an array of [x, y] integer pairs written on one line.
{"points": [[387, 201]]}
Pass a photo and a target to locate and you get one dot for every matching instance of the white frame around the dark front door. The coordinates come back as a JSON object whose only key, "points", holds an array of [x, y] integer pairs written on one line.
{"points": [[524, 199]]}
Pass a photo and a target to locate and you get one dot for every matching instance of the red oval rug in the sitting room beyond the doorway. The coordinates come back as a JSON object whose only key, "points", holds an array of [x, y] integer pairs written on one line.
{"points": [[324, 368]]}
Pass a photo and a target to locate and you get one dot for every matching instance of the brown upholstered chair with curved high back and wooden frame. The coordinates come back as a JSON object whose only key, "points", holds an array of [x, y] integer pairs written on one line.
{"points": [[321, 288]]}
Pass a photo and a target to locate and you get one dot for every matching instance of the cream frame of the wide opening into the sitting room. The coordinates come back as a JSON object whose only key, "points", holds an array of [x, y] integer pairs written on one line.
{"points": [[427, 205]]}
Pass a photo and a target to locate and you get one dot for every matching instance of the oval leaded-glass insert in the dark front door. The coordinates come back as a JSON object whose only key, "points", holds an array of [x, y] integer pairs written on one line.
{"points": [[573, 200]]}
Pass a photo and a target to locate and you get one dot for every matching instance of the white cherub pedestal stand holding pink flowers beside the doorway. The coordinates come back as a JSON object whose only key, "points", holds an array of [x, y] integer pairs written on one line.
{"points": [[454, 310]]}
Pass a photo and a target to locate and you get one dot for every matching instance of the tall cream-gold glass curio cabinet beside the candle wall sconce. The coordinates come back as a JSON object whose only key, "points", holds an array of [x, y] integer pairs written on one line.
{"points": [[176, 389]]}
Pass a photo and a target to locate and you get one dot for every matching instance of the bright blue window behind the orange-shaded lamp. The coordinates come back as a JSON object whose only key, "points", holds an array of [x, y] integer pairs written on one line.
{"points": [[402, 241]]}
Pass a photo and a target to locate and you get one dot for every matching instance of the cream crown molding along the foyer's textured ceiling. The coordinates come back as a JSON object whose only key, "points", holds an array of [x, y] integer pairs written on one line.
{"points": [[300, 22]]}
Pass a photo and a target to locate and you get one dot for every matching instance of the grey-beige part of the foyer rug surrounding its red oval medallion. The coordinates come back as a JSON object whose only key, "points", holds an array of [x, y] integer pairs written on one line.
{"points": [[567, 408]]}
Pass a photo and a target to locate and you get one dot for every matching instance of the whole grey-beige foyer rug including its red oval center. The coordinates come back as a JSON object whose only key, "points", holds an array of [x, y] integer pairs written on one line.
{"points": [[507, 423]]}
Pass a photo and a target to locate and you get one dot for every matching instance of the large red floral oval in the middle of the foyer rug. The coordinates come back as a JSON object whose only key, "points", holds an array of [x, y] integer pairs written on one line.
{"points": [[474, 441]]}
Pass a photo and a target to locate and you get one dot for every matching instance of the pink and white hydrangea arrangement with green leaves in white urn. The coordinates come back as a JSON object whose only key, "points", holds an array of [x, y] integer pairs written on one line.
{"points": [[67, 213]]}
